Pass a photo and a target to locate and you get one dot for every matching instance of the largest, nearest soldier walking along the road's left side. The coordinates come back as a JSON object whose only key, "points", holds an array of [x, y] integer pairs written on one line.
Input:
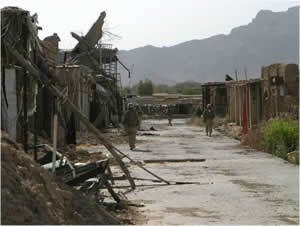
{"points": [[131, 123]]}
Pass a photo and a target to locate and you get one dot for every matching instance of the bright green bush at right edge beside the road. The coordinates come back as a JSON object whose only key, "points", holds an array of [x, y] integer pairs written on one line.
{"points": [[281, 137]]}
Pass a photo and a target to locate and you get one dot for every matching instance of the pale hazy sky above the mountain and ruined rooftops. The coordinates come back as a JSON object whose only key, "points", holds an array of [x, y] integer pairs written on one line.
{"points": [[146, 22]]}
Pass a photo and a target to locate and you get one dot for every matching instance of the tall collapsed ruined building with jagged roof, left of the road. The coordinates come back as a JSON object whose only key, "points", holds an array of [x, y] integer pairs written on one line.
{"points": [[87, 75]]}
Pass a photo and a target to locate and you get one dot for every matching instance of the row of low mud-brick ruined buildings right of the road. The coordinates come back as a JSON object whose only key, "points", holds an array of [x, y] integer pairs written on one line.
{"points": [[248, 102]]}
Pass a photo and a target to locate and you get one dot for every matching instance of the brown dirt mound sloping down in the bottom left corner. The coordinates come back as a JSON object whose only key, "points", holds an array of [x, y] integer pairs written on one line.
{"points": [[31, 195]]}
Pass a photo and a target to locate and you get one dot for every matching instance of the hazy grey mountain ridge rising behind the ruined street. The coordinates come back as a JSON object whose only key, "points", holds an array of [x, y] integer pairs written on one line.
{"points": [[271, 37]]}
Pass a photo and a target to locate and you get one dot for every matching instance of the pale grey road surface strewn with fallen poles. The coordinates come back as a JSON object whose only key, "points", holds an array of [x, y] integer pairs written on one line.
{"points": [[243, 186]]}
